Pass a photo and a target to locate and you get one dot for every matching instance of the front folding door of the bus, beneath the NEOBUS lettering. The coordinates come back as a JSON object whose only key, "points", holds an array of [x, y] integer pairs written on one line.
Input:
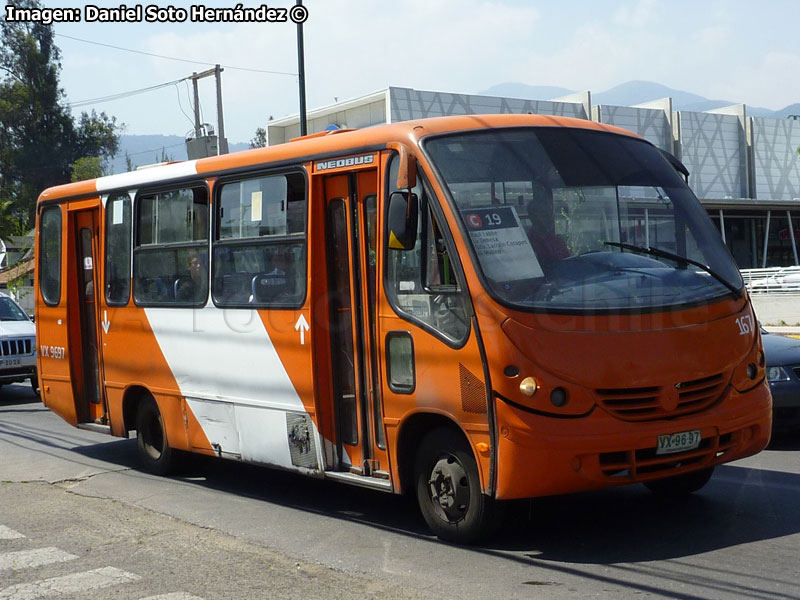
{"points": [[350, 201]]}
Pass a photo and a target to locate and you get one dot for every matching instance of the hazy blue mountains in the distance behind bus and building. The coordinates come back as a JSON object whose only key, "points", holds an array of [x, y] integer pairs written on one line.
{"points": [[149, 149]]}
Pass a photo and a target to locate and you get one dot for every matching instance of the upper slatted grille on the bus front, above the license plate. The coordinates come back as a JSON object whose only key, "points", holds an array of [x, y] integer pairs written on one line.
{"points": [[650, 403]]}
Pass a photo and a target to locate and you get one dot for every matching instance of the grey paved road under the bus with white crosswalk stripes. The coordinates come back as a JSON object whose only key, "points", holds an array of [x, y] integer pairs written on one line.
{"points": [[226, 530]]}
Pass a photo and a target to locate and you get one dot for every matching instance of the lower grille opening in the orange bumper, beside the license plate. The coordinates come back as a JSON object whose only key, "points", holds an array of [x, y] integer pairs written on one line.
{"points": [[644, 463]]}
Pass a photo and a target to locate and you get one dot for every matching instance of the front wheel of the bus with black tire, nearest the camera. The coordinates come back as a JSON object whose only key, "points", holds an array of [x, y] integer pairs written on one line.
{"points": [[449, 490]]}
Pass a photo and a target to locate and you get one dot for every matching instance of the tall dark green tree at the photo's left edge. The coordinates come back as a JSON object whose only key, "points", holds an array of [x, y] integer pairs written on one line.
{"points": [[40, 141]]}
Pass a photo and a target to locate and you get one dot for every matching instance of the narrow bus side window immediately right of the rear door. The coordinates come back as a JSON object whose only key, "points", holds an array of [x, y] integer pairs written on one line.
{"points": [[118, 250]]}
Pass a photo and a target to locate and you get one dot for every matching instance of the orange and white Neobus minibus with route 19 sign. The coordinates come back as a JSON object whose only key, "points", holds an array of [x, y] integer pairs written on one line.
{"points": [[470, 309]]}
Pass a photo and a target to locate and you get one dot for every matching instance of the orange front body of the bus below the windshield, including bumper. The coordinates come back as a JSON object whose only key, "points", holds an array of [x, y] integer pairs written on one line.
{"points": [[541, 452]]}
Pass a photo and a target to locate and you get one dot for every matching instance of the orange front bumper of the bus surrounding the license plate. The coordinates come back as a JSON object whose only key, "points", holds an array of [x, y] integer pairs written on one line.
{"points": [[540, 456]]}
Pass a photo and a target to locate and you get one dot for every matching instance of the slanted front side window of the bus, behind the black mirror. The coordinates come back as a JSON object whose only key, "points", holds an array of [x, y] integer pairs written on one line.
{"points": [[421, 283]]}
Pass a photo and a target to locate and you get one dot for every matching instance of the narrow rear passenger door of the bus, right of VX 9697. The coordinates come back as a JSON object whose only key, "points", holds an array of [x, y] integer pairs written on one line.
{"points": [[83, 316]]}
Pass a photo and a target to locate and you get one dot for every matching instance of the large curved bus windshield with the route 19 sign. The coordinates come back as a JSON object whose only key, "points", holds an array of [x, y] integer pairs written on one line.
{"points": [[572, 219]]}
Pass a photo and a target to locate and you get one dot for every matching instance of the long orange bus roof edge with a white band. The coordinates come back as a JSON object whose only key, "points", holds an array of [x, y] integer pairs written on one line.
{"points": [[314, 147]]}
